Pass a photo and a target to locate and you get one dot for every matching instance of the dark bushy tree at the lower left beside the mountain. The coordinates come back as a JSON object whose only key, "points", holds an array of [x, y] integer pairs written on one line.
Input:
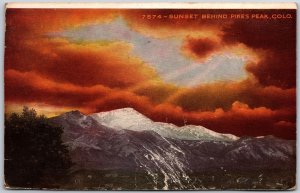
{"points": [[34, 153]]}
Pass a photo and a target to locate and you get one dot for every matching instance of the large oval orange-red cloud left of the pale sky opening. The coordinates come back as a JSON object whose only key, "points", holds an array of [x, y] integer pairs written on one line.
{"points": [[82, 64]]}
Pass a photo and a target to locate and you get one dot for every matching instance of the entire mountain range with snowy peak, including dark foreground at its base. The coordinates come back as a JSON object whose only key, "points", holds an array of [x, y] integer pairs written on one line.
{"points": [[124, 149]]}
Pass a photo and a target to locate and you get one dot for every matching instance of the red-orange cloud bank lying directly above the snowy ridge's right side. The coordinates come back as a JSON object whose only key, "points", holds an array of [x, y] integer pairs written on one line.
{"points": [[239, 120]]}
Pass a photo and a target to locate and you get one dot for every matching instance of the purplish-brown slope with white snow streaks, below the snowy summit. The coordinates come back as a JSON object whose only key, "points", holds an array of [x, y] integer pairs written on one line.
{"points": [[95, 146]]}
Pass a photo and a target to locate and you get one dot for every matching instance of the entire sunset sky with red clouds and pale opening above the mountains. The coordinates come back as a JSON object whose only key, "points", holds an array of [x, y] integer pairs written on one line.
{"points": [[233, 76]]}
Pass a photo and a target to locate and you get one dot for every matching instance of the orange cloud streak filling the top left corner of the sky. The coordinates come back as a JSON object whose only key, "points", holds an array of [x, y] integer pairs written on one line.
{"points": [[34, 22]]}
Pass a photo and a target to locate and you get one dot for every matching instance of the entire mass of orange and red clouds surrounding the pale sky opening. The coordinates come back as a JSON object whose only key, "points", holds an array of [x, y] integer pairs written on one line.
{"points": [[102, 76]]}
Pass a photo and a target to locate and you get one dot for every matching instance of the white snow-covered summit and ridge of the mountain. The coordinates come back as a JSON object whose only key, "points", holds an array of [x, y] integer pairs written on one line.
{"points": [[130, 119]]}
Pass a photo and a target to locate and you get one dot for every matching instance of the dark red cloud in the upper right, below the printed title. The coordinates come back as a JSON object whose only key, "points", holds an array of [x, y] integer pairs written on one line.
{"points": [[275, 38]]}
